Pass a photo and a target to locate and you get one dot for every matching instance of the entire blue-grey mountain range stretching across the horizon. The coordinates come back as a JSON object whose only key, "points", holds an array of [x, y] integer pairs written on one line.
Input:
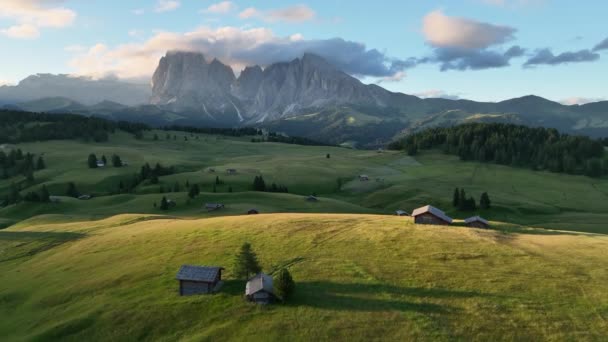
{"points": [[306, 96]]}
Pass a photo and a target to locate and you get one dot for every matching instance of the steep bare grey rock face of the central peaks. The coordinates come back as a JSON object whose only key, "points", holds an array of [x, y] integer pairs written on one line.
{"points": [[184, 81]]}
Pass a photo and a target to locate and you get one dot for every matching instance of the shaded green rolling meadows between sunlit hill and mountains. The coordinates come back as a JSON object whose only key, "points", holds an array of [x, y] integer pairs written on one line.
{"points": [[519, 196]]}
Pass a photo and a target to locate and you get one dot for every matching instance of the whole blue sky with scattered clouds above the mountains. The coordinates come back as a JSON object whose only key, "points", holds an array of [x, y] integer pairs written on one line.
{"points": [[484, 50]]}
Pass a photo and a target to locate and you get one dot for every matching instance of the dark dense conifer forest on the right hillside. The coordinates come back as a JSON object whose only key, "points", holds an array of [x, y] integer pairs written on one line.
{"points": [[506, 144]]}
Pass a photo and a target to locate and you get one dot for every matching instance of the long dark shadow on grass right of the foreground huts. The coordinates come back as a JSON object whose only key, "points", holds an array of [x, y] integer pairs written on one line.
{"points": [[374, 297]]}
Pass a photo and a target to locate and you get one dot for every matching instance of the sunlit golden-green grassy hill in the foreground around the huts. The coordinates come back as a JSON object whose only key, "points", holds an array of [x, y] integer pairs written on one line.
{"points": [[359, 277]]}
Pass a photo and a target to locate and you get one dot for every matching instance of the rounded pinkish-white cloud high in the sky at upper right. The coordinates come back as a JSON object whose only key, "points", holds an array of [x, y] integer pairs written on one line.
{"points": [[444, 31]]}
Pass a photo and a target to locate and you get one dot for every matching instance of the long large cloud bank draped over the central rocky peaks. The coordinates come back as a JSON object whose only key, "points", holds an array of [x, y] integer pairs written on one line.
{"points": [[236, 47]]}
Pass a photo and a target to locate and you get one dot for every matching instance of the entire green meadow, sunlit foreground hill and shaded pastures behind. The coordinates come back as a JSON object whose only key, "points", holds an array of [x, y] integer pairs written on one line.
{"points": [[104, 268]]}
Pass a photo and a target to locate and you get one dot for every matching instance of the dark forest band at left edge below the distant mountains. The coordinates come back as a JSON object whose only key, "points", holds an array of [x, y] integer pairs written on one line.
{"points": [[17, 126]]}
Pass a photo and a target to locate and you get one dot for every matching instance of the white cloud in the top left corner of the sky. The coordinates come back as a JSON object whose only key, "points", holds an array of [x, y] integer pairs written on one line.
{"points": [[30, 16]]}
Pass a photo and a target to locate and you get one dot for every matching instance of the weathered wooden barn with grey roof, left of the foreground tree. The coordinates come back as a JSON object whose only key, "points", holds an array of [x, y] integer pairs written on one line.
{"points": [[199, 279]]}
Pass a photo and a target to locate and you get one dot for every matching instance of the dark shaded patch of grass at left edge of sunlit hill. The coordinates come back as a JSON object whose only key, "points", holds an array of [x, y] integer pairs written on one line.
{"points": [[26, 244]]}
